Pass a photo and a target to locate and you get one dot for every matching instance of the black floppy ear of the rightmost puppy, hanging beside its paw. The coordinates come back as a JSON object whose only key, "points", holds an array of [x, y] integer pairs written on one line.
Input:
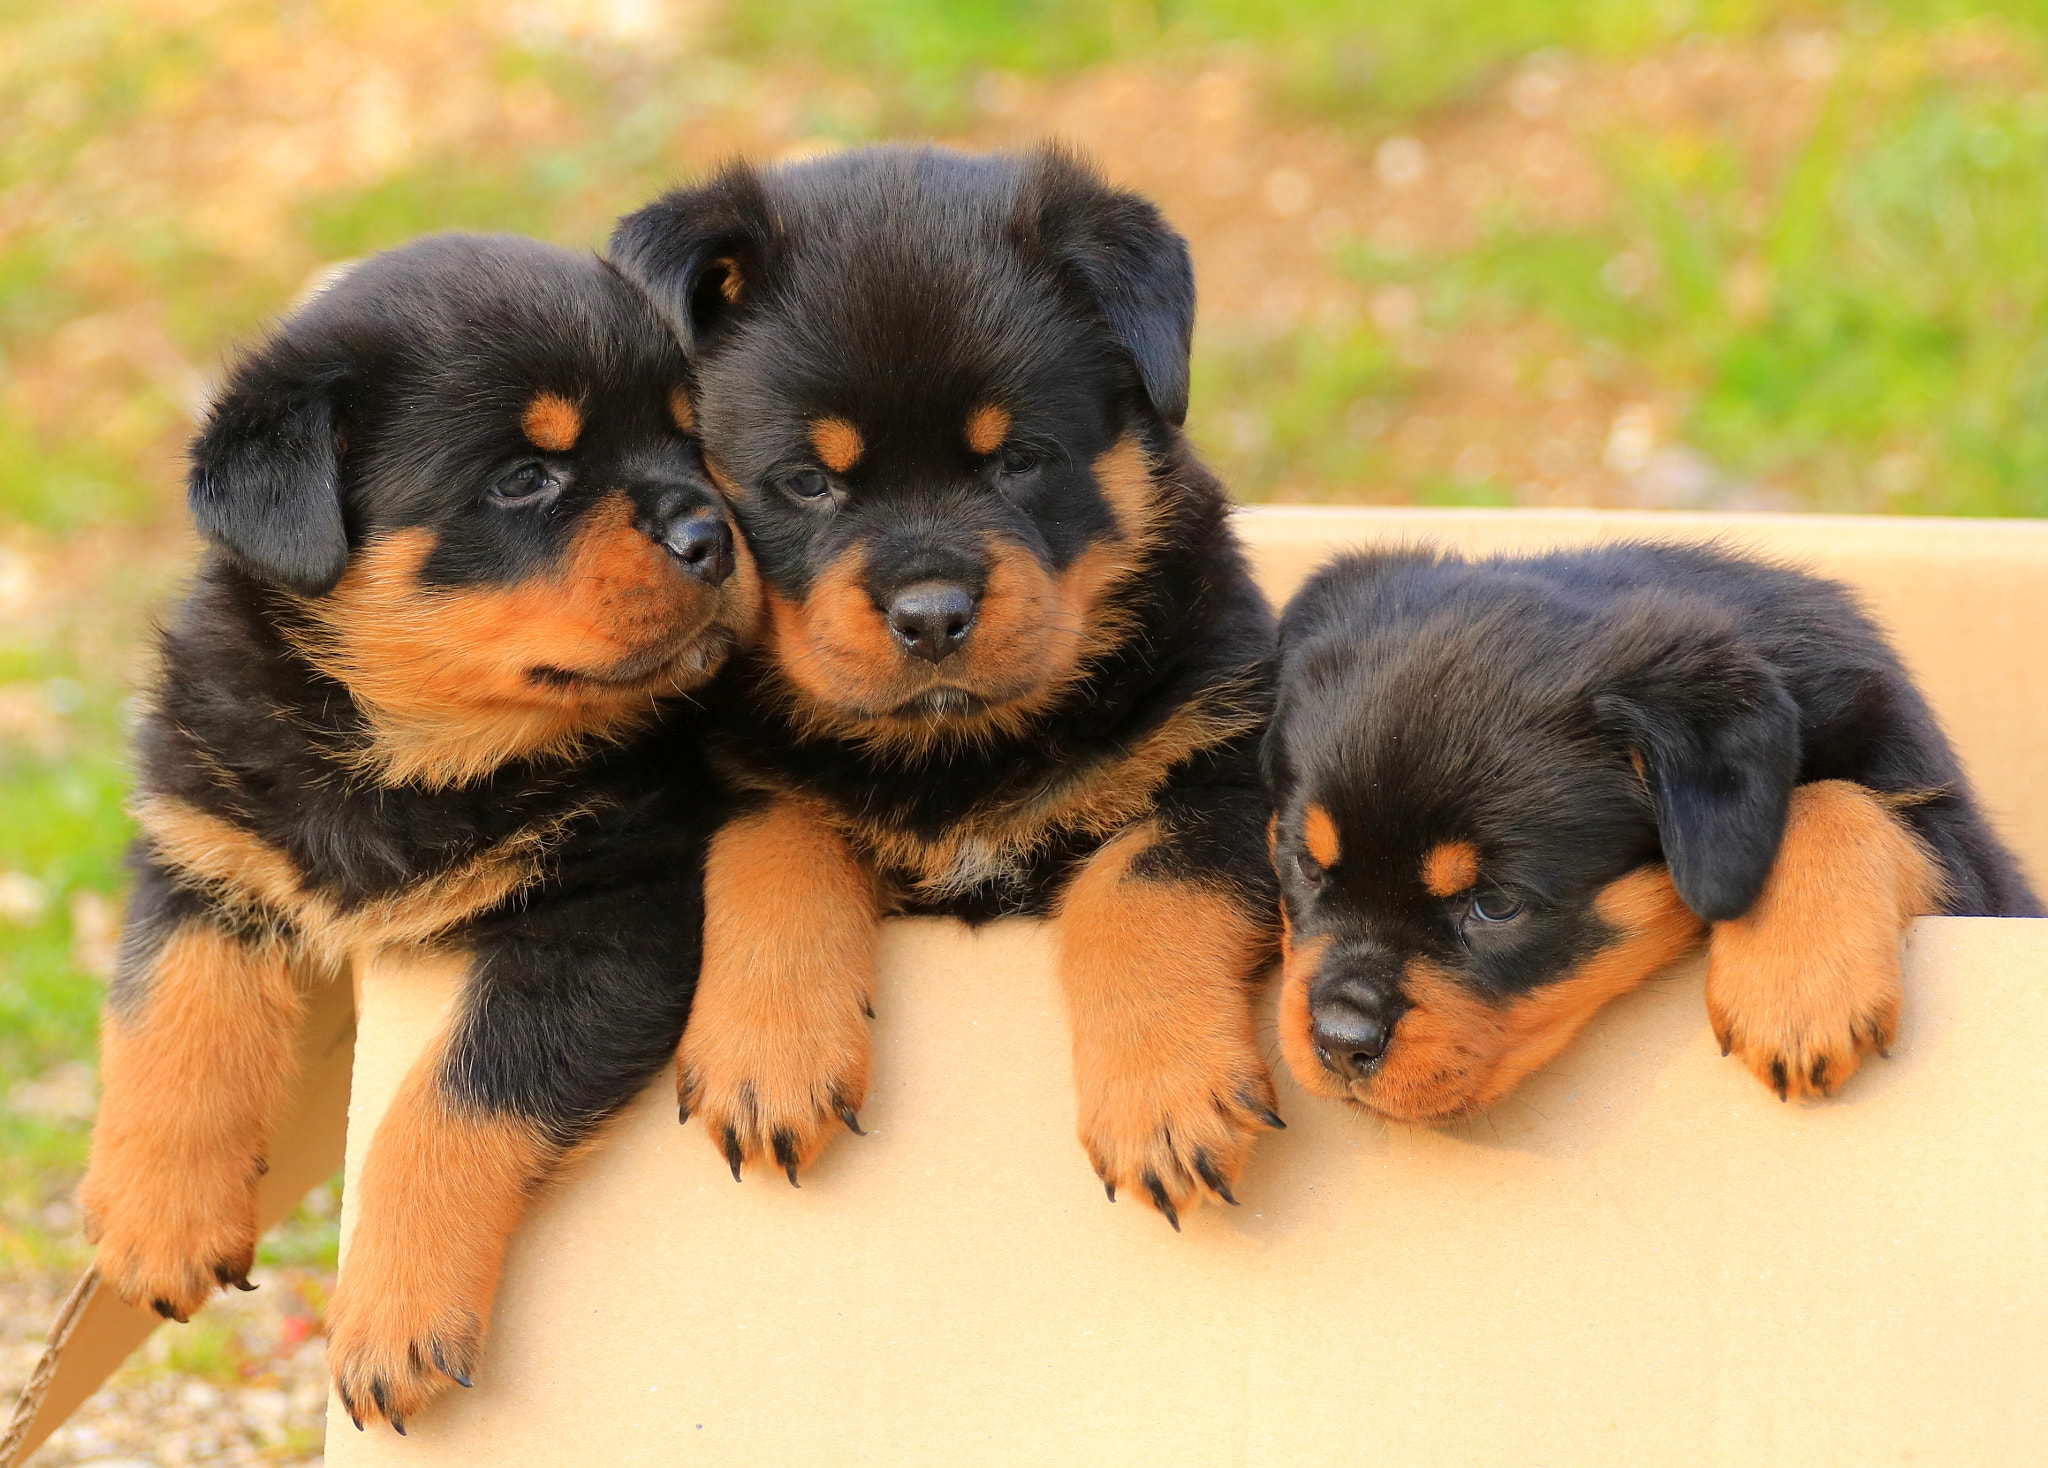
{"points": [[1717, 738]]}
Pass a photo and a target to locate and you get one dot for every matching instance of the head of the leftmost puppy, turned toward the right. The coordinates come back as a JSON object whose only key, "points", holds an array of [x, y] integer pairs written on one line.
{"points": [[470, 466]]}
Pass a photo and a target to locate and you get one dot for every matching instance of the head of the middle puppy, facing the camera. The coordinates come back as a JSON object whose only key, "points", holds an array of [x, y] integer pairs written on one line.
{"points": [[935, 390]]}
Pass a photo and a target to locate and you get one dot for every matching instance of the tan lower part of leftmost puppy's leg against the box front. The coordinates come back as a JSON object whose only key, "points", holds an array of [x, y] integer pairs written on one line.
{"points": [[441, 1195]]}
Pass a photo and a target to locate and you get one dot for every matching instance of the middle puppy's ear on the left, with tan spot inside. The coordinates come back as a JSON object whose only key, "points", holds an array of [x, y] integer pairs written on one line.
{"points": [[697, 253]]}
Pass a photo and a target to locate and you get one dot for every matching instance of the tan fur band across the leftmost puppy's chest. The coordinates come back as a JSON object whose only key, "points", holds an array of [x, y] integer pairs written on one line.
{"points": [[249, 875]]}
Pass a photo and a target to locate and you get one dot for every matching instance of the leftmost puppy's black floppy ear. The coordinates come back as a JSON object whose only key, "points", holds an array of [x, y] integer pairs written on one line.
{"points": [[265, 482]]}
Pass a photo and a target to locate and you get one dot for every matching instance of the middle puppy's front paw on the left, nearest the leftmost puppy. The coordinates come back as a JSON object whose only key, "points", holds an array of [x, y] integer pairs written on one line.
{"points": [[771, 1090]]}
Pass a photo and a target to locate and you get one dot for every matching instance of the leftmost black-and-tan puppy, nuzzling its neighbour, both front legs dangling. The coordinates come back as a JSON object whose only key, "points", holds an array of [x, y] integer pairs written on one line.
{"points": [[462, 554]]}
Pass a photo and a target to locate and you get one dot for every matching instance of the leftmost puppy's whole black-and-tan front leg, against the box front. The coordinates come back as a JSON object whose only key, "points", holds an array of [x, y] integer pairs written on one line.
{"points": [[568, 1012]]}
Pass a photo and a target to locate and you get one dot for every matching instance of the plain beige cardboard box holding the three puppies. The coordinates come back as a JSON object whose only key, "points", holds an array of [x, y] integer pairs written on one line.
{"points": [[1637, 1258]]}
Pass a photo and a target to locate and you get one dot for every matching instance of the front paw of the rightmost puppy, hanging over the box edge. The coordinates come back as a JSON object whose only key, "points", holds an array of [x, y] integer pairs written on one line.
{"points": [[1803, 1031]]}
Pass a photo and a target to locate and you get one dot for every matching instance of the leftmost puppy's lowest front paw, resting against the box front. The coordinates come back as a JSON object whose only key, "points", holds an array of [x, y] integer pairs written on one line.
{"points": [[394, 1350]]}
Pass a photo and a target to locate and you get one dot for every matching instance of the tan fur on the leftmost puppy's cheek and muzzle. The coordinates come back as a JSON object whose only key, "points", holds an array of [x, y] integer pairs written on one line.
{"points": [[447, 675]]}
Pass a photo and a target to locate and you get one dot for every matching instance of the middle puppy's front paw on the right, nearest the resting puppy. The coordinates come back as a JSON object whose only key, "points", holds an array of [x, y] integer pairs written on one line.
{"points": [[1168, 1125]]}
